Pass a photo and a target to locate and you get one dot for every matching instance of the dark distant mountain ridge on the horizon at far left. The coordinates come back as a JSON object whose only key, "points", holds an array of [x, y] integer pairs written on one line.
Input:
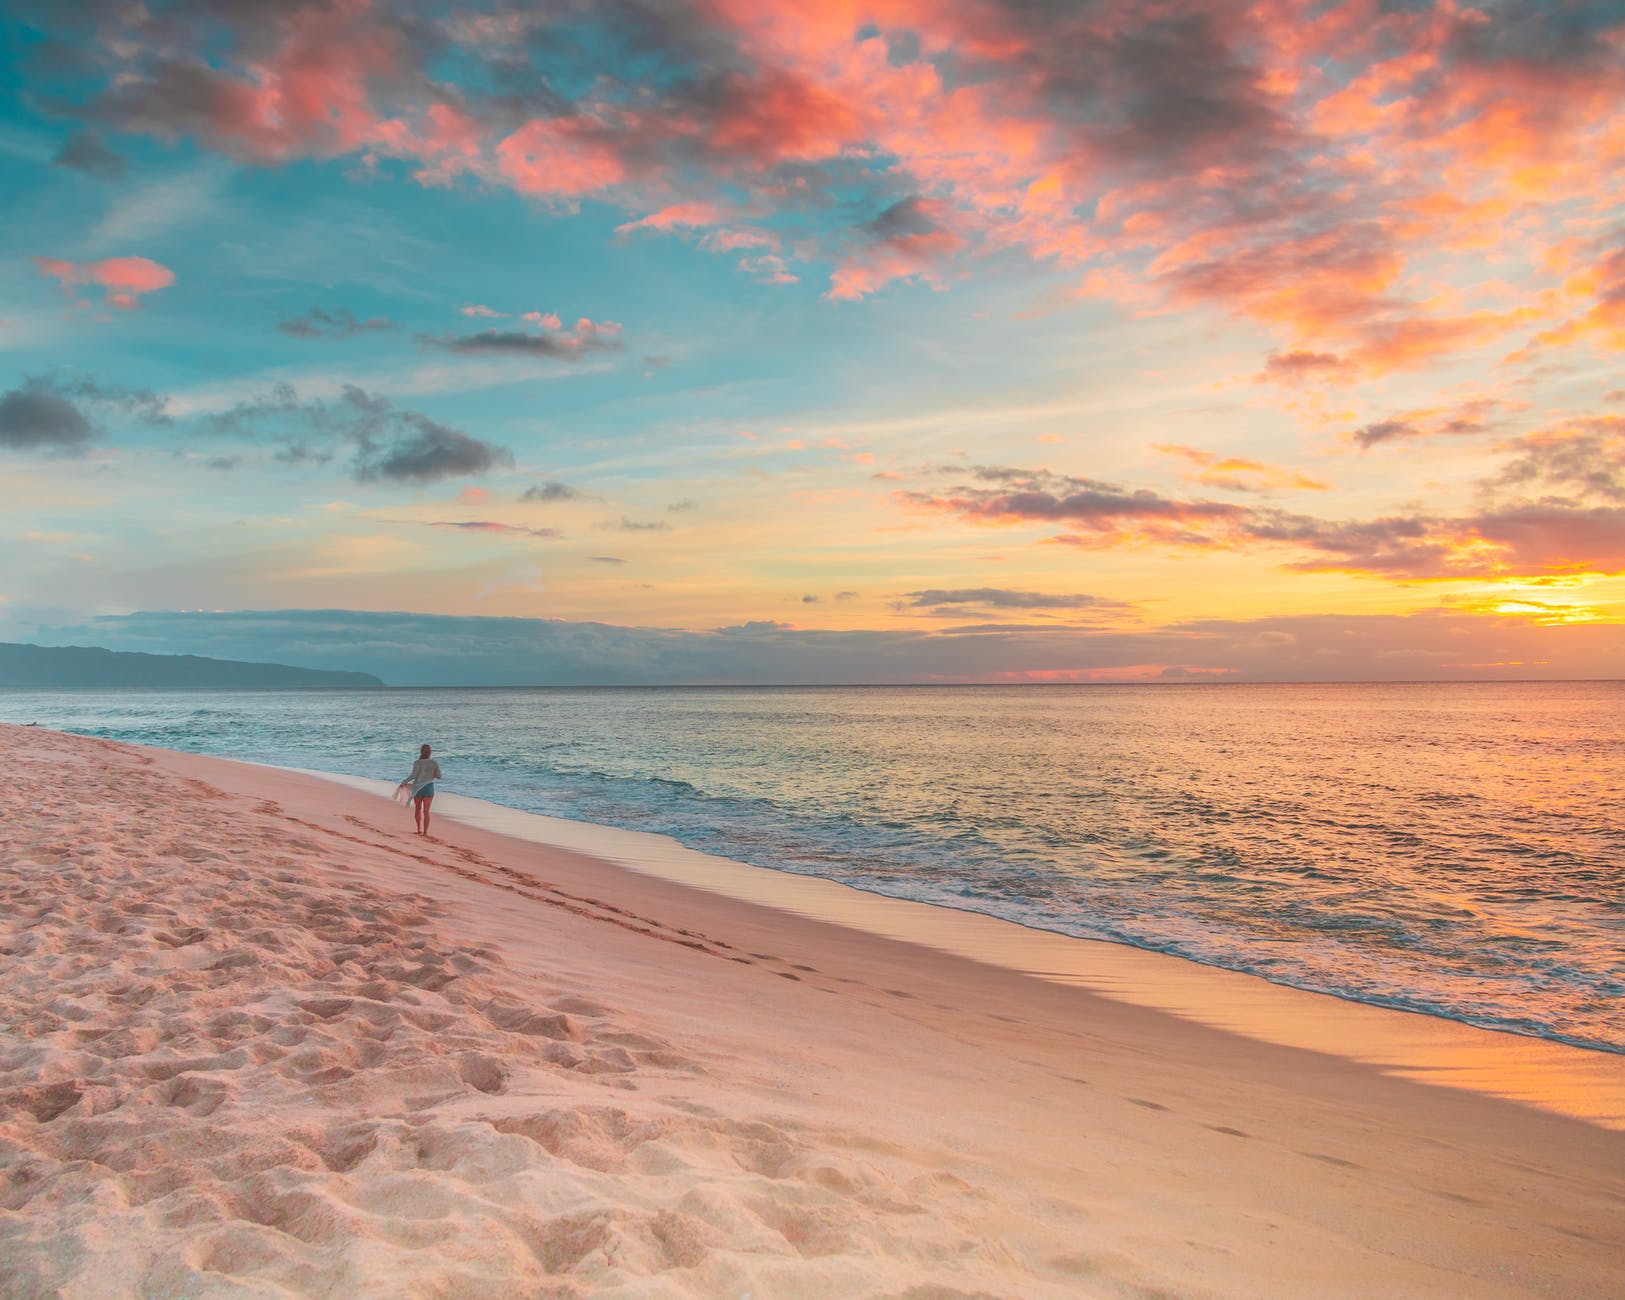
{"points": [[85, 665]]}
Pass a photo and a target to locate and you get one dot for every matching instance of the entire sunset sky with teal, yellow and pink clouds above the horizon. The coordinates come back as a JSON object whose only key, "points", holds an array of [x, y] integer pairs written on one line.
{"points": [[768, 340]]}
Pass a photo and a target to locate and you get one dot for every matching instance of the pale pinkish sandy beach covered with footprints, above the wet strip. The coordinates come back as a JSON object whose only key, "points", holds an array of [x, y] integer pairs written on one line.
{"points": [[259, 1039]]}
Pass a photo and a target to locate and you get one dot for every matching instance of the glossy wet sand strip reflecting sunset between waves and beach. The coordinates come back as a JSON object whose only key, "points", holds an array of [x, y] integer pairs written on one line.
{"points": [[1582, 1081]]}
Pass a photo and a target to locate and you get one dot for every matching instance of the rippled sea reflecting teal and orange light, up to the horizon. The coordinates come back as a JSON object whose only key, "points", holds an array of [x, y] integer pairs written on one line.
{"points": [[1447, 849]]}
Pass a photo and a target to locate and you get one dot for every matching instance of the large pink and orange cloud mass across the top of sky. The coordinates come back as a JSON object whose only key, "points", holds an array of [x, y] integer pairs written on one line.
{"points": [[1309, 168]]}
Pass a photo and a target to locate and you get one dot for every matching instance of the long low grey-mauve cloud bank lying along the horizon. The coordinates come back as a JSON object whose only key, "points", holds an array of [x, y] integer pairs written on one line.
{"points": [[453, 651]]}
